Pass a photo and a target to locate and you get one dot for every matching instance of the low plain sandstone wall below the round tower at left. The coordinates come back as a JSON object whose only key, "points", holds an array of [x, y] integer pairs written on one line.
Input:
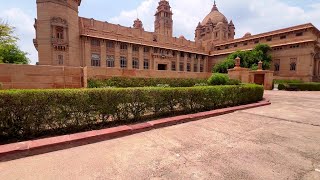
{"points": [[40, 77]]}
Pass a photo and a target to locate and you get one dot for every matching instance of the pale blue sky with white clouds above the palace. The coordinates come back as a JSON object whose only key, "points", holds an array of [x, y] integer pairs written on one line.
{"points": [[254, 16]]}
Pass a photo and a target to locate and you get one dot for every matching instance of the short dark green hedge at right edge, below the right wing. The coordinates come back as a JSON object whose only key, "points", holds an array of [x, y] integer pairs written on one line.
{"points": [[300, 87]]}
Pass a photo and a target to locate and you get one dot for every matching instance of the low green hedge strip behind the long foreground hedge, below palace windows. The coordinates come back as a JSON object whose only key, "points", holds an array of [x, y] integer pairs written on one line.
{"points": [[143, 82]]}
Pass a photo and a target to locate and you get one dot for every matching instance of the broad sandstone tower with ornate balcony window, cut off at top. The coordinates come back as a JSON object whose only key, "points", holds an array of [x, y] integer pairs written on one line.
{"points": [[57, 32]]}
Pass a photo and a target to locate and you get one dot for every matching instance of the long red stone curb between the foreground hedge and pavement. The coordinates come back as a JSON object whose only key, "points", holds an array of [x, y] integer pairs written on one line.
{"points": [[41, 146]]}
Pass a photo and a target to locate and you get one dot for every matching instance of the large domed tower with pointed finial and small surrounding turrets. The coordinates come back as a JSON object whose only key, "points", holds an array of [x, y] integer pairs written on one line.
{"points": [[214, 28]]}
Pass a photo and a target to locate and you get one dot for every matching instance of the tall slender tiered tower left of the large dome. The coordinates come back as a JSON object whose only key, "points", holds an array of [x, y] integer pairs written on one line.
{"points": [[163, 23]]}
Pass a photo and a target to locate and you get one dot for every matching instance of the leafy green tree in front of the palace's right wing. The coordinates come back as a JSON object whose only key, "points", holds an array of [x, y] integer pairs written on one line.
{"points": [[249, 59]]}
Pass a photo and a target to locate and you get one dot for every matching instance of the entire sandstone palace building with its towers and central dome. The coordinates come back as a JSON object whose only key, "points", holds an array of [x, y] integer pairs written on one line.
{"points": [[65, 39]]}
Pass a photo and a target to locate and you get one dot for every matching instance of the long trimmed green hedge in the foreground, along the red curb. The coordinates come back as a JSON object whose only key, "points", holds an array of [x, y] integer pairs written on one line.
{"points": [[28, 114]]}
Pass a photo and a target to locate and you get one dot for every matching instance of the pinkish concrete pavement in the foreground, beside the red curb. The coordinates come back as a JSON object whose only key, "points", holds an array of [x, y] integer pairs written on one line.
{"points": [[281, 141]]}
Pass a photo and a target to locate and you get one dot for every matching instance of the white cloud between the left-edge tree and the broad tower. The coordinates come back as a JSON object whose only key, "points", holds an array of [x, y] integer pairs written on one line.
{"points": [[23, 24]]}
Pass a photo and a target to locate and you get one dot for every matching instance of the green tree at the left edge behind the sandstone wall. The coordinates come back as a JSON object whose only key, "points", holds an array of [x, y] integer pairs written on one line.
{"points": [[9, 50]]}
